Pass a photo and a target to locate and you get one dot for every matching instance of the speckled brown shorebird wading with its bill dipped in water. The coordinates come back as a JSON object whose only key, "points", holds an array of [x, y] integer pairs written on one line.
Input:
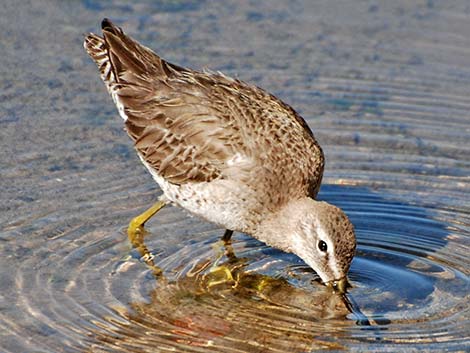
{"points": [[226, 151]]}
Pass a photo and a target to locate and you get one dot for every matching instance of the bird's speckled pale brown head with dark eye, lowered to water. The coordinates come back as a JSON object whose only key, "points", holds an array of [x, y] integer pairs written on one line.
{"points": [[321, 235]]}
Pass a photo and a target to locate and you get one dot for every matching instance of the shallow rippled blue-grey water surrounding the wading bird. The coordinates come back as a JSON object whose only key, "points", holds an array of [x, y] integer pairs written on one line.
{"points": [[385, 89]]}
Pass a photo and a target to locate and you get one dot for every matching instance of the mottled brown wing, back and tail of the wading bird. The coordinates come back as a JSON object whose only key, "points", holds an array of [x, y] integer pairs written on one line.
{"points": [[189, 125]]}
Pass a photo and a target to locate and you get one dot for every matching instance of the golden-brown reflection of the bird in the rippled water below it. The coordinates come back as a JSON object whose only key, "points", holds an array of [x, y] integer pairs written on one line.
{"points": [[222, 303]]}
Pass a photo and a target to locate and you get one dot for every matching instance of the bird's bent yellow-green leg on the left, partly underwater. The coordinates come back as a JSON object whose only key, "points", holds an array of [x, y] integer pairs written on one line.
{"points": [[136, 233]]}
